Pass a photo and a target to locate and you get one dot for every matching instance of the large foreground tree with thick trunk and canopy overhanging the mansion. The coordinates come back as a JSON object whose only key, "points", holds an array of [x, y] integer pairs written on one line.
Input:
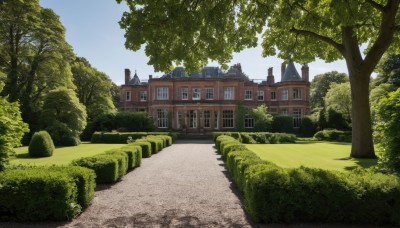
{"points": [[191, 32]]}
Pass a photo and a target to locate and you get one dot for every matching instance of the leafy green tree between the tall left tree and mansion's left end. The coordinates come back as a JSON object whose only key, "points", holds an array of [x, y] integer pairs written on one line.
{"points": [[93, 88]]}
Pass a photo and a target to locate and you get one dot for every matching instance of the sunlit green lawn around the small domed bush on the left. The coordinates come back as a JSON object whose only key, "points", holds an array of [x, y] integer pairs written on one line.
{"points": [[62, 155]]}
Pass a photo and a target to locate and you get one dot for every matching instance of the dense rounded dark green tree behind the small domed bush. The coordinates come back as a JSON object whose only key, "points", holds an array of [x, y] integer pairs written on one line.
{"points": [[63, 116]]}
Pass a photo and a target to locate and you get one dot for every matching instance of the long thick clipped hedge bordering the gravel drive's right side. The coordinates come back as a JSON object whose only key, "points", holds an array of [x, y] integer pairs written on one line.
{"points": [[273, 194]]}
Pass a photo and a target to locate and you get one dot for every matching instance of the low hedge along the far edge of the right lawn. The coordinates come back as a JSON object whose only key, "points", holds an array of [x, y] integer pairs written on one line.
{"points": [[259, 137]]}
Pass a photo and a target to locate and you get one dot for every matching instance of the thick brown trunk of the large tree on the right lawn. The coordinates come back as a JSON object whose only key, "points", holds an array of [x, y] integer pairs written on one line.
{"points": [[362, 143]]}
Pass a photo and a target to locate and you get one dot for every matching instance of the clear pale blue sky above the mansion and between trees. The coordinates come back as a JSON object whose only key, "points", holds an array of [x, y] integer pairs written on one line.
{"points": [[93, 31]]}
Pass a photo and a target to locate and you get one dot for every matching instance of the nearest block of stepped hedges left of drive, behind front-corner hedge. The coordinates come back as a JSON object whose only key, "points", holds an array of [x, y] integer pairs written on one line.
{"points": [[105, 167]]}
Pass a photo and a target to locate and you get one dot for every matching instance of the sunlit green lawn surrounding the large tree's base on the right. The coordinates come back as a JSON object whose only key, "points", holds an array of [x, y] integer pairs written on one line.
{"points": [[325, 155]]}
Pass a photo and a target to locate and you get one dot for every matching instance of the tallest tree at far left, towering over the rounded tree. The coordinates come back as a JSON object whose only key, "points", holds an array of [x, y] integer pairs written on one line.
{"points": [[33, 54]]}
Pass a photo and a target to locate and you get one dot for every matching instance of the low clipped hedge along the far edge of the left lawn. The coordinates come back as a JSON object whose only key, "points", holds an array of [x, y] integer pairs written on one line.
{"points": [[122, 137]]}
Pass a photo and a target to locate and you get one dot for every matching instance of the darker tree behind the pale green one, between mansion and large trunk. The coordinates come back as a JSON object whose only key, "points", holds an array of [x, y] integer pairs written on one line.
{"points": [[321, 84]]}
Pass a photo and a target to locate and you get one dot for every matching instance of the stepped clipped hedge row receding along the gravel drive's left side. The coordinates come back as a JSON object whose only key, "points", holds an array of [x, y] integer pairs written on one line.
{"points": [[111, 166]]}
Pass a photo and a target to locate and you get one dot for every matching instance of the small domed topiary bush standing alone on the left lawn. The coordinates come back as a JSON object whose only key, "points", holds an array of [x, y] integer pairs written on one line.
{"points": [[41, 145]]}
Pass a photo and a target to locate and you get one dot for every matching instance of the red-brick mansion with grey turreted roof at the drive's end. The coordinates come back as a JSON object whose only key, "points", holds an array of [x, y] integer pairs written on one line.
{"points": [[207, 101]]}
